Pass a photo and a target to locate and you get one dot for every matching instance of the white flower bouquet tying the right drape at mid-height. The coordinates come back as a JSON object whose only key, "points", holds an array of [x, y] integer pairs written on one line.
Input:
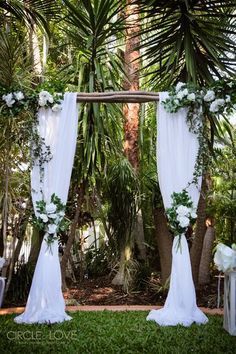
{"points": [[181, 215]]}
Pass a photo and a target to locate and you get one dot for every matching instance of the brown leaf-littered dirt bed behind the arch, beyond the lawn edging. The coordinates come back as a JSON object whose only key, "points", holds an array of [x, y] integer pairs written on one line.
{"points": [[100, 291]]}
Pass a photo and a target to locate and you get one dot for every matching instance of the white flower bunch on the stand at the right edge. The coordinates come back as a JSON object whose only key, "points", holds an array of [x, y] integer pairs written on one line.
{"points": [[225, 257]]}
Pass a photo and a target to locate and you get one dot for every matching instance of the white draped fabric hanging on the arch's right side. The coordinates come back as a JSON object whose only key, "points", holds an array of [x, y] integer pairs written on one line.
{"points": [[176, 155]]}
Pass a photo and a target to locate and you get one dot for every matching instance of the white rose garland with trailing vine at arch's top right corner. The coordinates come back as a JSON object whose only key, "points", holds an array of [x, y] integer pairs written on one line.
{"points": [[206, 104]]}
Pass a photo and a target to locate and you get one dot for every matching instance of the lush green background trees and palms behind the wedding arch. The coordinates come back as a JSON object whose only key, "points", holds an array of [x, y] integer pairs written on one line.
{"points": [[108, 45]]}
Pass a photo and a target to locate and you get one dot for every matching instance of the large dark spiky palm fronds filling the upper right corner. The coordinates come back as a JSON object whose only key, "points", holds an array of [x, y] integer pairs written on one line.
{"points": [[190, 40]]}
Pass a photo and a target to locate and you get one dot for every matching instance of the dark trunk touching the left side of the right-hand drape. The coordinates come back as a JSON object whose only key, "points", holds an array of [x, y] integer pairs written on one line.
{"points": [[164, 243]]}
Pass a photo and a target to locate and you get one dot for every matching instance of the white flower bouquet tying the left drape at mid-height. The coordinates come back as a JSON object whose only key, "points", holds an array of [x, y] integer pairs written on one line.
{"points": [[51, 218]]}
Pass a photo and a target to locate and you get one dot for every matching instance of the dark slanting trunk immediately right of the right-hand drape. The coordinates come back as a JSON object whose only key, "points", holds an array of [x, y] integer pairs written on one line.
{"points": [[196, 249]]}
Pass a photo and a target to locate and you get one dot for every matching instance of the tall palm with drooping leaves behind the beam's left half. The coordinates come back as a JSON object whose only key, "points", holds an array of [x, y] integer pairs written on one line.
{"points": [[92, 28]]}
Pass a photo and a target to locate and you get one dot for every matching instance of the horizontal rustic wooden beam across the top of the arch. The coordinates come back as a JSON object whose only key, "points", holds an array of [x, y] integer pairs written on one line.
{"points": [[118, 97]]}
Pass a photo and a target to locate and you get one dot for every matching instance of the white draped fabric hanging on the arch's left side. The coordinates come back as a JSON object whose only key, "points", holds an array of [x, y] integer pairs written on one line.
{"points": [[59, 129]]}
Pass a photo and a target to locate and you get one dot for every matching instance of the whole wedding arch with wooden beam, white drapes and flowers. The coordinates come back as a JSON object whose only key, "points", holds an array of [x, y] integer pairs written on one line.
{"points": [[177, 153]]}
